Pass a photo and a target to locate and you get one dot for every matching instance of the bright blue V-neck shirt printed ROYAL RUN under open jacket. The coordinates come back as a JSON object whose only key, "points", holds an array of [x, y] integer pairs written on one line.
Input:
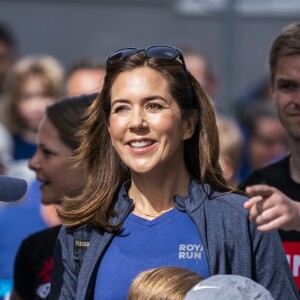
{"points": [[169, 240]]}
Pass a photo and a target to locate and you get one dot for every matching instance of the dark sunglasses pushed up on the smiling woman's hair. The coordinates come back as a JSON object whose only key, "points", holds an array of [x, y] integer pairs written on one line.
{"points": [[163, 52]]}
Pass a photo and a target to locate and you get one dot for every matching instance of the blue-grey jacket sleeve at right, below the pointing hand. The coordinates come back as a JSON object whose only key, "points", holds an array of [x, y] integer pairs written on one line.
{"points": [[271, 265]]}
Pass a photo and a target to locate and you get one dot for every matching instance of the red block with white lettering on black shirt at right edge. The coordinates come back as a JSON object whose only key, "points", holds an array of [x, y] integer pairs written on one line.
{"points": [[292, 250]]}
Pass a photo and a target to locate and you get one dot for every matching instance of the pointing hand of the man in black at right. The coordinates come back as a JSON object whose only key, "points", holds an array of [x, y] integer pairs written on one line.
{"points": [[271, 209]]}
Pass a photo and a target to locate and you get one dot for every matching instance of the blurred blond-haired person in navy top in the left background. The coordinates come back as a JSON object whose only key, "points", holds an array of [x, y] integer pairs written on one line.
{"points": [[33, 84]]}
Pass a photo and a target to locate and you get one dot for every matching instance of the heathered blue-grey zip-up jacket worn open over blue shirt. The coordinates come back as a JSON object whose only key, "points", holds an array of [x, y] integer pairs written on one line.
{"points": [[232, 246]]}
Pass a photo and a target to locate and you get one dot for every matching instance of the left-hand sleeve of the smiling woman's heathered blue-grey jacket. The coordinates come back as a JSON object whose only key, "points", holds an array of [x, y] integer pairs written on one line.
{"points": [[63, 277]]}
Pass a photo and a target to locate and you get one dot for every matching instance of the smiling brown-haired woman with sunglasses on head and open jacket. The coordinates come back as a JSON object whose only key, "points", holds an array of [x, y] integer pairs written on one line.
{"points": [[155, 194]]}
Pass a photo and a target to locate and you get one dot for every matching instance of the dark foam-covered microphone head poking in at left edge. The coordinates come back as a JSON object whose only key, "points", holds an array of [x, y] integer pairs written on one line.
{"points": [[12, 188]]}
